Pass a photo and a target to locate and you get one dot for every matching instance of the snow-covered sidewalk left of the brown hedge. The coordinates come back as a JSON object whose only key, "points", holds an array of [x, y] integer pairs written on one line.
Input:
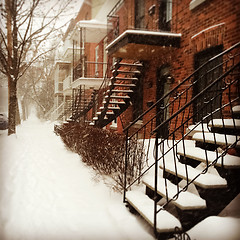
{"points": [[47, 193]]}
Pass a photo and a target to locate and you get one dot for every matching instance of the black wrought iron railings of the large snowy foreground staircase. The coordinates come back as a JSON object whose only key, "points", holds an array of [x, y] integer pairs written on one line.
{"points": [[177, 110]]}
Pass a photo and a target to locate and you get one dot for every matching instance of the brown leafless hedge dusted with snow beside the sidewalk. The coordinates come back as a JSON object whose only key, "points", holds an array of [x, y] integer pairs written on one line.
{"points": [[104, 151]]}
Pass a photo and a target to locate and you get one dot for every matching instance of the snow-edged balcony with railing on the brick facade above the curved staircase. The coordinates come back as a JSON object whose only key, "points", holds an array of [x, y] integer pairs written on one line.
{"points": [[148, 34]]}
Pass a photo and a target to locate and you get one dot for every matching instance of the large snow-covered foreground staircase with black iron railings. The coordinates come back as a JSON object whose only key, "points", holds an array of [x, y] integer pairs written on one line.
{"points": [[194, 171]]}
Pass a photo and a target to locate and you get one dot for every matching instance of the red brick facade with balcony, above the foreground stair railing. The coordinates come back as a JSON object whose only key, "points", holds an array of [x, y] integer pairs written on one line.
{"points": [[192, 32]]}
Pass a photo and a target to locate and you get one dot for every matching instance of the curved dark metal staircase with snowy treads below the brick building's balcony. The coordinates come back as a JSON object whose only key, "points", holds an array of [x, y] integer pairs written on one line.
{"points": [[116, 97]]}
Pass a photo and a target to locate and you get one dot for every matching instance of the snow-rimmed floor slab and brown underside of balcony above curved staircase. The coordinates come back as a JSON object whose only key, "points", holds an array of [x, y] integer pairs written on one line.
{"points": [[143, 44]]}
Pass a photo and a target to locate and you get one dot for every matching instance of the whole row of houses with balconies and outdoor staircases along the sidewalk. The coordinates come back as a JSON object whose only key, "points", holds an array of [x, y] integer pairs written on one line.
{"points": [[168, 76]]}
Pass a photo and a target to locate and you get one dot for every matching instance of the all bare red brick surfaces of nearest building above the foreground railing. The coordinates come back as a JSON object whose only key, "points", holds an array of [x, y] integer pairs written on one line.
{"points": [[212, 23]]}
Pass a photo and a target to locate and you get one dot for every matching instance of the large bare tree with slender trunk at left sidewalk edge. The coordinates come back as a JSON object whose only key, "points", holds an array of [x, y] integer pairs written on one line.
{"points": [[26, 27]]}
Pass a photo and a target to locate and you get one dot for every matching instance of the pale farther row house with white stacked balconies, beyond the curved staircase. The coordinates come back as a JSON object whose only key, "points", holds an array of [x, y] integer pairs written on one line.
{"points": [[81, 61]]}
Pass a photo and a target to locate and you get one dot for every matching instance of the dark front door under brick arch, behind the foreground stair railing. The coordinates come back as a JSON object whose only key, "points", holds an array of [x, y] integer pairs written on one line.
{"points": [[210, 100]]}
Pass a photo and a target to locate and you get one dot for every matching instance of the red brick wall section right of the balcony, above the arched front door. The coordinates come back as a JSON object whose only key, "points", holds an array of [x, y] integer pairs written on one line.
{"points": [[224, 15]]}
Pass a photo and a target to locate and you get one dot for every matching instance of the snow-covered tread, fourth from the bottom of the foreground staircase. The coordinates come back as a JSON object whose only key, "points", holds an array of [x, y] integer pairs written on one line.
{"points": [[229, 161]]}
